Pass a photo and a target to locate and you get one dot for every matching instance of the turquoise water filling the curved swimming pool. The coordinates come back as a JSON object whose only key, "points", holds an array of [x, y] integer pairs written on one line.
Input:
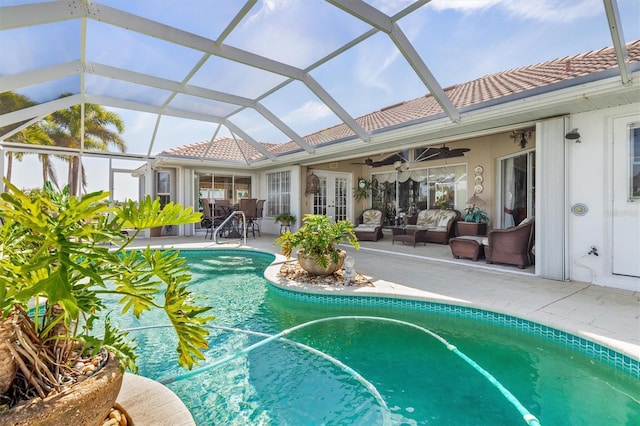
{"points": [[419, 380]]}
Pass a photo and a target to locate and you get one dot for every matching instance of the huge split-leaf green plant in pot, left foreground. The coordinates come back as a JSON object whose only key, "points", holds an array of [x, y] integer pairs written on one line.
{"points": [[60, 258]]}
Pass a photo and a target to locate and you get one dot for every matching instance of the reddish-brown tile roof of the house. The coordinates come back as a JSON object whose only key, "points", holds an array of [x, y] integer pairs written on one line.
{"points": [[487, 88]]}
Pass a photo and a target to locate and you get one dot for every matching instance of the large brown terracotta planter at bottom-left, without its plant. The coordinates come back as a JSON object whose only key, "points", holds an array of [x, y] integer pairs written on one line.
{"points": [[86, 403]]}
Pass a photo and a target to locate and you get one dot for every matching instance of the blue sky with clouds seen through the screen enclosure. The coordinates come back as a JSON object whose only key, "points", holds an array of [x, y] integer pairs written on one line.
{"points": [[459, 40]]}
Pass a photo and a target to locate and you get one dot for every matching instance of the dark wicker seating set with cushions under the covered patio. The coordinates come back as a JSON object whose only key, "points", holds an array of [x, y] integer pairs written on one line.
{"points": [[513, 246]]}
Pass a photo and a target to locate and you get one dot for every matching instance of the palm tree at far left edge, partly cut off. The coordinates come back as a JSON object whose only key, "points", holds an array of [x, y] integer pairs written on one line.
{"points": [[33, 135]]}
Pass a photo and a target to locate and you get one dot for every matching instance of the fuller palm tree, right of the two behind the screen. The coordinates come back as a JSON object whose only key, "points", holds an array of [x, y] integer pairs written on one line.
{"points": [[64, 127]]}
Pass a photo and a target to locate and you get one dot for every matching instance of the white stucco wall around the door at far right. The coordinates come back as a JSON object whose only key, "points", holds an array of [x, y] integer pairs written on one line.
{"points": [[590, 171]]}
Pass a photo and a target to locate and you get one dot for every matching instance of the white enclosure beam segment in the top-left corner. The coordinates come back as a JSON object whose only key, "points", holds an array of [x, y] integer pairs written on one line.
{"points": [[39, 13]]}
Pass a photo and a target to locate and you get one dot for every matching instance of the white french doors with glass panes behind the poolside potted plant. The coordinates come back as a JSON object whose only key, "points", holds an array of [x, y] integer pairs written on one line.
{"points": [[334, 197]]}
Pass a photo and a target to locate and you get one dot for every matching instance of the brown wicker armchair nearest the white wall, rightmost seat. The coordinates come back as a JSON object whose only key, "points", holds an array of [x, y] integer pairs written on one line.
{"points": [[512, 245]]}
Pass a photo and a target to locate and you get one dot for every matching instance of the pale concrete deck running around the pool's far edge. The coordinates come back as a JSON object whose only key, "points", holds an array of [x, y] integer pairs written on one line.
{"points": [[603, 315]]}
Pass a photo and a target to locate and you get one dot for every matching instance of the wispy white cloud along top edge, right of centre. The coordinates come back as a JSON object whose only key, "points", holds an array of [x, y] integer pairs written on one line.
{"points": [[539, 10]]}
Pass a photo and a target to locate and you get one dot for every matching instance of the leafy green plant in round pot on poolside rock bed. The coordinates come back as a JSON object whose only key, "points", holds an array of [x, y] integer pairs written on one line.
{"points": [[317, 242]]}
